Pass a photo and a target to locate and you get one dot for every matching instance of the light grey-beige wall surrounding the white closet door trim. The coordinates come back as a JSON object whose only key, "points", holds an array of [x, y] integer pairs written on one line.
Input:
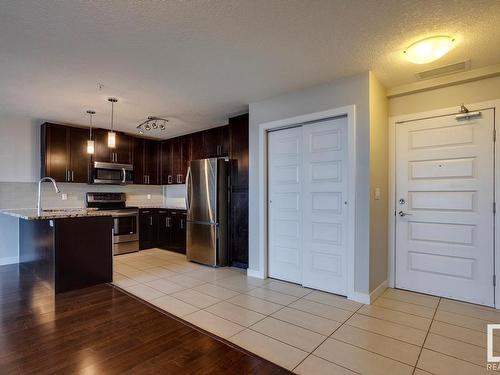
{"points": [[342, 92]]}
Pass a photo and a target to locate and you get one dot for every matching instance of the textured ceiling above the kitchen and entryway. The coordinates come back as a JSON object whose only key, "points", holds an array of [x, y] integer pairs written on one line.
{"points": [[199, 61]]}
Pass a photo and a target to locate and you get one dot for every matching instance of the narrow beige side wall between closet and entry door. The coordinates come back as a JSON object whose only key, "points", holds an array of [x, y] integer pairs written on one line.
{"points": [[378, 179]]}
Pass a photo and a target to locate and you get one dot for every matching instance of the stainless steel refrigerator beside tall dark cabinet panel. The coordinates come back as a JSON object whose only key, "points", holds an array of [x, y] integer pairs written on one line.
{"points": [[206, 204]]}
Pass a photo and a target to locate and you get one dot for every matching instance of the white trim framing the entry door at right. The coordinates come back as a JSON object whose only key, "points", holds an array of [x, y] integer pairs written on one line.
{"points": [[393, 121]]}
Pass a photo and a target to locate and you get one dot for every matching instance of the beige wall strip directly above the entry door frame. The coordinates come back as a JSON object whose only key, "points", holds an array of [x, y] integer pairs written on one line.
{"points": [[471, 92]]}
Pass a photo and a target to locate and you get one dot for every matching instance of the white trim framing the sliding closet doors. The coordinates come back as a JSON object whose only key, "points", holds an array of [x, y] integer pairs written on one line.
{"points": [[348, 111]]}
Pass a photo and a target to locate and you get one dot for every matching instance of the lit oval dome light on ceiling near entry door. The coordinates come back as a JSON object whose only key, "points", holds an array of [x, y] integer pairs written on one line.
{"points": [[429, 49]]}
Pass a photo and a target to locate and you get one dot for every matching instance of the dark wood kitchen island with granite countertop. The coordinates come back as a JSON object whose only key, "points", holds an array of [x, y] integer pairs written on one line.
{"points": [[66, 249]]}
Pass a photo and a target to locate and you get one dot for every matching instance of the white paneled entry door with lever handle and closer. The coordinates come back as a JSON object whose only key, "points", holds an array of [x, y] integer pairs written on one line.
{"points": [[444, 207]]}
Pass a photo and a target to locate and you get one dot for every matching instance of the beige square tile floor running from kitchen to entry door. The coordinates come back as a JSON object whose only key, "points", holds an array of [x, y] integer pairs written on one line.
{"points": [[311, 332]]}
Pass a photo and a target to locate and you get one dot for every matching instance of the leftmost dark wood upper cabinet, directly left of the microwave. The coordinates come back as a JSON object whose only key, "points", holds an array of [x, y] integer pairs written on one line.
{"points": [[64, 153]]}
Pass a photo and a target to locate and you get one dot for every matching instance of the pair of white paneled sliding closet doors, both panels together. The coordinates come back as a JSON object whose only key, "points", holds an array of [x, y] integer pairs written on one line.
{"points": [[307, 188]]}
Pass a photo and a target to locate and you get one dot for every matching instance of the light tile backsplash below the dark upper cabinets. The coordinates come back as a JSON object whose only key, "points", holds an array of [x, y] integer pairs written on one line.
{"points": [[24, 194]]}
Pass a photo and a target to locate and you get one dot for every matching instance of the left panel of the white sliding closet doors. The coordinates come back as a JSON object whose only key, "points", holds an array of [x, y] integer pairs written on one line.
{"points": [[285, 201]]}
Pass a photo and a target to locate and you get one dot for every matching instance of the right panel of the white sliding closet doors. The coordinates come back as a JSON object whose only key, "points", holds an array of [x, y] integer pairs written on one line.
{"points": [[324, 216]]}
